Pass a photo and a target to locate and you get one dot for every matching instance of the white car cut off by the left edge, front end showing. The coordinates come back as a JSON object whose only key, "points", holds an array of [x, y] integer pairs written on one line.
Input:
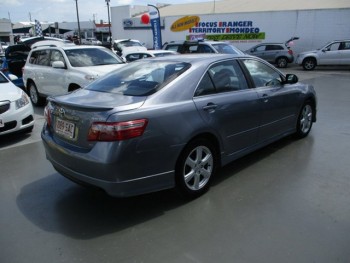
{"points": [[16, 110]]}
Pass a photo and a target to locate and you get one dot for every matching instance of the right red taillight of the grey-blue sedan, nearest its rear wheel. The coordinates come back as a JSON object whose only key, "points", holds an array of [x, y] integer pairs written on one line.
{"points": [[116, 131]]}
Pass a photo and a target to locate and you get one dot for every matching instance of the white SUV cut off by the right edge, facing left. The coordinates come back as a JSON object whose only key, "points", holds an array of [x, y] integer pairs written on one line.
{"points": [[336, 52]]}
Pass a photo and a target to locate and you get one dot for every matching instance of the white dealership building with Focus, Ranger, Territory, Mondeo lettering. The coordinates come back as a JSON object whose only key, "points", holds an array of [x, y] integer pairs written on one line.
{"points": [[242, 22]]}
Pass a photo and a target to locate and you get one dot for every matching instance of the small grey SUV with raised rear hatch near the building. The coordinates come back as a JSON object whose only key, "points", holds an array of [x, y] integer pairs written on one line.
{"points": [[276, 53]]}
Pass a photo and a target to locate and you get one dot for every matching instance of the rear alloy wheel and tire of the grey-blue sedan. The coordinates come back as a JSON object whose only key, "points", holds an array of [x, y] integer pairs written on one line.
{"points": [[195, 168]]}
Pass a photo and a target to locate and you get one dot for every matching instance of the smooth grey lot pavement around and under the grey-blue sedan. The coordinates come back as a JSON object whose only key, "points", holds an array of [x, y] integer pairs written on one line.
{"points": [[288, 202]]}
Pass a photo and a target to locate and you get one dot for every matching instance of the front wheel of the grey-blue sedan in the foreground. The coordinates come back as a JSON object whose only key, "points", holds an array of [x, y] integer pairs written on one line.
{"points": [[305, 120]]}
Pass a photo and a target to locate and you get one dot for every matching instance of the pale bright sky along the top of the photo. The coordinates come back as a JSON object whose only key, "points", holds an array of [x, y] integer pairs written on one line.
{"points": [[65, 10]]}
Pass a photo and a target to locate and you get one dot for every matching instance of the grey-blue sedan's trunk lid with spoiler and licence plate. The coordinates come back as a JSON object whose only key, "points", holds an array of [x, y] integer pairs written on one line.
{"points": [[71, 116]]}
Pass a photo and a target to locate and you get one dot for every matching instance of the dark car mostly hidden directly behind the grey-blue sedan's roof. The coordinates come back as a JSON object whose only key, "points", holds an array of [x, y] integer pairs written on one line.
{"points": [[202, 46]]}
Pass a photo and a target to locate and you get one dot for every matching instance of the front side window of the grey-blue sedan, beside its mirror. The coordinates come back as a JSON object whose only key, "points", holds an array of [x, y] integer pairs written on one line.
{"points": [[262, 74]]}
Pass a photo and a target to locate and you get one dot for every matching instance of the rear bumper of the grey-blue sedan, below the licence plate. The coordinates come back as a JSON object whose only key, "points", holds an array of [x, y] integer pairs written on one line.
{"points": [[109, 177]]}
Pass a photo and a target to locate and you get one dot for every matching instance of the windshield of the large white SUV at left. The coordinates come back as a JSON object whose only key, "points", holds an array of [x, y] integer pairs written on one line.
{"points": [[87, 57]]}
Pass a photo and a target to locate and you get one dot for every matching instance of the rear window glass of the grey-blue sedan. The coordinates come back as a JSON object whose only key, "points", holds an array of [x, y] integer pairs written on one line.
{"points": [[139, 78]]}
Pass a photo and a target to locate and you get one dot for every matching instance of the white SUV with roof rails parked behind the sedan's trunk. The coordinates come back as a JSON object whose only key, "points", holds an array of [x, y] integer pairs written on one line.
{"points": [[58, 68]]}
